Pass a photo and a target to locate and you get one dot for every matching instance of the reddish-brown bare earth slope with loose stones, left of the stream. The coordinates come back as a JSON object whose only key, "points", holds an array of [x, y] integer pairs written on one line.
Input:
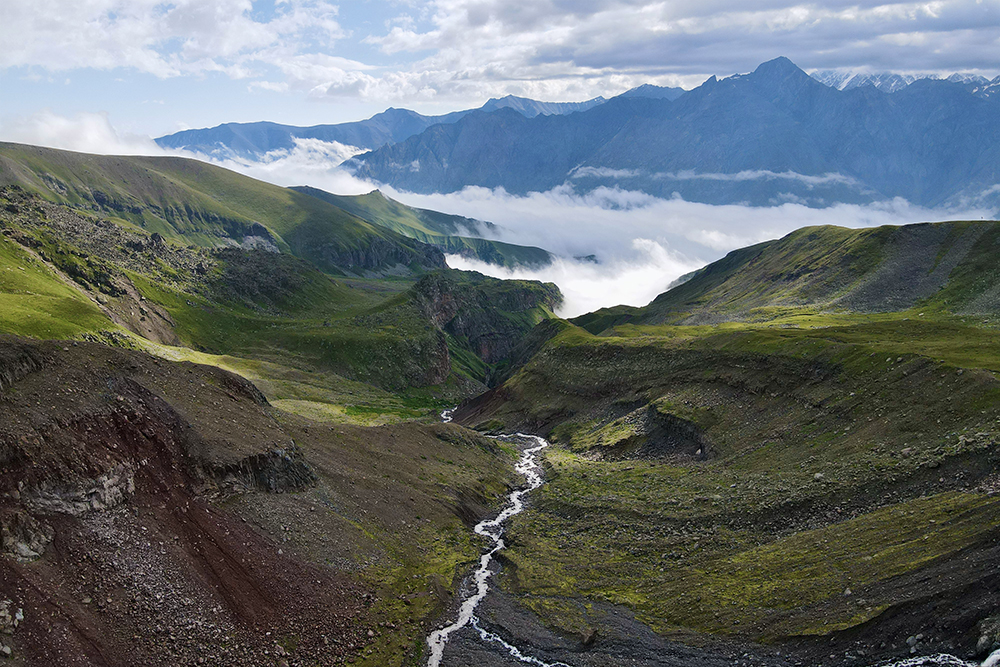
{"points": [[148, 514]]}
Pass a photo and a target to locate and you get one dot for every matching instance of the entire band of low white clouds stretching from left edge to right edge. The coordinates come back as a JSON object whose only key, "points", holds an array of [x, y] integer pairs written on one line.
{"points": [[611, 246]]}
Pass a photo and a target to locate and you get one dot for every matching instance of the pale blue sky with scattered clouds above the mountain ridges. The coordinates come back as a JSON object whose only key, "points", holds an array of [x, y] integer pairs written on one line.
{"points": [[150, 68]]}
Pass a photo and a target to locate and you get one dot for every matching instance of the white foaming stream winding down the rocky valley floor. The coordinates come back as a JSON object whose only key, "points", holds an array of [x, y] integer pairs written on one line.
{"points": [[493, 530]]}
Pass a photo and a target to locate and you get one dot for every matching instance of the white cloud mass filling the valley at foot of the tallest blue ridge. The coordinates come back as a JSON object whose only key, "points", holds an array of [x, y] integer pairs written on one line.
{"points": [[643, 243]]}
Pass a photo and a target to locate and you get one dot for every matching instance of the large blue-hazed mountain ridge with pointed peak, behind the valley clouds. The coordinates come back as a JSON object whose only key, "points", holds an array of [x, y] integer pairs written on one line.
{"points": [[773, 136]]}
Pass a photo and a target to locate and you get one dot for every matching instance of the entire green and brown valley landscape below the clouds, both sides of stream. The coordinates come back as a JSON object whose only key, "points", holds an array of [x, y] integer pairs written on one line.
{"points": [[216, 392]]}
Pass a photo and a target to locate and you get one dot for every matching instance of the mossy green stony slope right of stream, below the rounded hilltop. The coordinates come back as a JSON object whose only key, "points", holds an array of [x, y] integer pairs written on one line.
{"points": [[737, 481]]}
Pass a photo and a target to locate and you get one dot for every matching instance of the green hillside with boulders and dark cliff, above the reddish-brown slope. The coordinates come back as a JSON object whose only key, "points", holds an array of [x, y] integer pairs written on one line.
{"points": [[374, 350]]}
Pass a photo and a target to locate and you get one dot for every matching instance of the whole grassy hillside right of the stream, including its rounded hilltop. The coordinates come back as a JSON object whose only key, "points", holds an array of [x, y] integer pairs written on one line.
{"points": [[812, 463]]}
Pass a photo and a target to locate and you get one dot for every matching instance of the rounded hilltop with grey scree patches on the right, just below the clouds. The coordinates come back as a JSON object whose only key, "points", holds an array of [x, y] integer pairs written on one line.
{"points": [[939, 267]]}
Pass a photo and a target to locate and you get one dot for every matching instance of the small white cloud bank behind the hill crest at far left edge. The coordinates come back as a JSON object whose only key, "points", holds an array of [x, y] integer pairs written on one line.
{"points": [[85, 132]]}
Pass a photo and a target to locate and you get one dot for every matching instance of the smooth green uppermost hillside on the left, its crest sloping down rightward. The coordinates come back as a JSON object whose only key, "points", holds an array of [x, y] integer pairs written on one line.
{"points": [[197, 203]]}
